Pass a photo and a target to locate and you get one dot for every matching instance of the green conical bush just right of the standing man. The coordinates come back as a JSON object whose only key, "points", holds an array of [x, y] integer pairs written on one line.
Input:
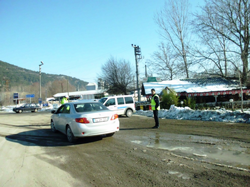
{"points": [[169, 98]]}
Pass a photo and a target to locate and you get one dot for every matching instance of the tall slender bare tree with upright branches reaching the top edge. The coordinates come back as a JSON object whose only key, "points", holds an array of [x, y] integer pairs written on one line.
{"points": [[173, 21]]}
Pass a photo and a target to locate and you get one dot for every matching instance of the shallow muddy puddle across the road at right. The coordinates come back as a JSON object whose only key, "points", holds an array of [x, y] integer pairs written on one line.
{"points": [[200, 147]]}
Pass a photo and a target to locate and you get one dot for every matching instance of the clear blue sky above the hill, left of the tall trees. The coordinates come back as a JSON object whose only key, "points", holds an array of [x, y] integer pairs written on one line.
{"points": [[77, 37]]}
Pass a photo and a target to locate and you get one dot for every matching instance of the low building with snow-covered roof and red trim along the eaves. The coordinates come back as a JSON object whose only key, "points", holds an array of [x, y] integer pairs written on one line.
{"points": [[215, 89]]}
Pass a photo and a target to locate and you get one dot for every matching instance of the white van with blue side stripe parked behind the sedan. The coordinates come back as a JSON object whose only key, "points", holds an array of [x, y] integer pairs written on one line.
{"points": [[123, 104]]}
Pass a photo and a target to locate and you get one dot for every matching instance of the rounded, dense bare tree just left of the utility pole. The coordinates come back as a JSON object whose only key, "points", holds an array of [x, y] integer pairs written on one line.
{"points": [[118, 74]]}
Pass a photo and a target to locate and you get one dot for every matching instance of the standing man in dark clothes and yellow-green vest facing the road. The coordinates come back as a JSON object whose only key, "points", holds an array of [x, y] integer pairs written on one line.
{"points": [[155, 105]]}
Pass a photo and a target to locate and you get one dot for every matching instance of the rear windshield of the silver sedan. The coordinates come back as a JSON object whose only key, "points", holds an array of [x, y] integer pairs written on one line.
{"points": [[89, 107]]}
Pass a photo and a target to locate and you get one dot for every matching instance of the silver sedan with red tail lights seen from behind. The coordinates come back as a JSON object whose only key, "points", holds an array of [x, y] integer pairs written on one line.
{"points": [[83, 119]]}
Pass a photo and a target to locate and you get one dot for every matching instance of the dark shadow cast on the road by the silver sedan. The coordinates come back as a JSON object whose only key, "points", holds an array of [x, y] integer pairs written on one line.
{"points": [[46, 138]]}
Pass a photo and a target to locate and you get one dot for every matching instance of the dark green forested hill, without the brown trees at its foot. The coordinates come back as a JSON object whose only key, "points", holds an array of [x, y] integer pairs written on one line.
{"points": [[15, 76]]}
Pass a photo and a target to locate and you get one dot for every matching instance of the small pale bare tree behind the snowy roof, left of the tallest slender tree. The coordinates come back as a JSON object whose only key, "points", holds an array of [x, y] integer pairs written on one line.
{"points": [[164, 62]]}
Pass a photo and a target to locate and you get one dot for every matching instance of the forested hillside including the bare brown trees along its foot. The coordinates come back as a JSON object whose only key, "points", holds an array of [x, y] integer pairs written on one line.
{"points": [[14, 79]]}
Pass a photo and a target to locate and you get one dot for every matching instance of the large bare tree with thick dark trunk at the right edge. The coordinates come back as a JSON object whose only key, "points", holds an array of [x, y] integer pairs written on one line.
{"points": [[233, 16]]}
